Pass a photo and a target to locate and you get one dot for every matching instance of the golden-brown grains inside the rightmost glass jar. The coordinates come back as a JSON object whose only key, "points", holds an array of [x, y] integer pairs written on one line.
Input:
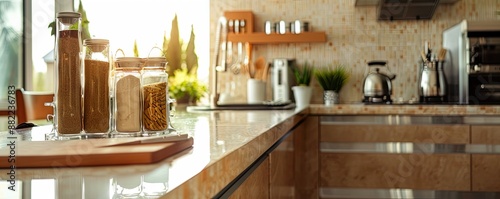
{"points": [[155, 106]]}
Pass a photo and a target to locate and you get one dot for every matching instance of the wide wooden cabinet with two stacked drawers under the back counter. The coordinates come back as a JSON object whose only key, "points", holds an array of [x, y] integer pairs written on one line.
{"points": [[384, 156]]}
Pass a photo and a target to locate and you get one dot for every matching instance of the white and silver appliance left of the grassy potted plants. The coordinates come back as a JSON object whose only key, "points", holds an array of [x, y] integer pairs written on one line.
{"points": [[282, 79]]}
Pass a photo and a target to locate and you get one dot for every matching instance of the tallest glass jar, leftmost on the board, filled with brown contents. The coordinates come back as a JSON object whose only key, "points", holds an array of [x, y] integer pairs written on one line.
{"points": [[68, 87]]}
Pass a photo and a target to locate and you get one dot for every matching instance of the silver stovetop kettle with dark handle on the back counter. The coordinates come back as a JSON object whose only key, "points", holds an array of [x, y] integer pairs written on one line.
{"points": [[377, 86]]}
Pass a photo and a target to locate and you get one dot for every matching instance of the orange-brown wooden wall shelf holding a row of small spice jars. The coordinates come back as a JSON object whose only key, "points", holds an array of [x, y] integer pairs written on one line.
{"points": [[262, 38]]}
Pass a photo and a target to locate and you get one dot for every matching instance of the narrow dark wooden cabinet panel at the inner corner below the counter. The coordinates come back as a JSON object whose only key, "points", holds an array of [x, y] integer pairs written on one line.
{"points": [[307, 159]]}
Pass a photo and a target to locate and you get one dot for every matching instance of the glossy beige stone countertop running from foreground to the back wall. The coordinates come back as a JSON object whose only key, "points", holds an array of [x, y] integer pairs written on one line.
{"points": [[226, 143]]}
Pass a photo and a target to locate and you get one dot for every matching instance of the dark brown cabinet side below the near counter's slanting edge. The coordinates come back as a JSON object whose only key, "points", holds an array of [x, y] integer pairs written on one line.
{"points": [[288, 169]]}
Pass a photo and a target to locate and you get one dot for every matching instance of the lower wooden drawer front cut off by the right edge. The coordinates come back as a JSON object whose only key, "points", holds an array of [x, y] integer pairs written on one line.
{"points": [[485, 172]]}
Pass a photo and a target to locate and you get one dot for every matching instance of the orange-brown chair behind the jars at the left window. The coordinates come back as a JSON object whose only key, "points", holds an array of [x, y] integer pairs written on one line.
{"points": [[31, 105]]}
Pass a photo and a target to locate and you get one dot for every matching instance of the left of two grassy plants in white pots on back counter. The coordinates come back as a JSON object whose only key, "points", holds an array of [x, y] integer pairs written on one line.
{"points": [[302, 92]]}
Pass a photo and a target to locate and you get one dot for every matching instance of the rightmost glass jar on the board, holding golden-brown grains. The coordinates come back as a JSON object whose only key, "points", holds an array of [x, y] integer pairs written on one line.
{"points": [[155, 94]]}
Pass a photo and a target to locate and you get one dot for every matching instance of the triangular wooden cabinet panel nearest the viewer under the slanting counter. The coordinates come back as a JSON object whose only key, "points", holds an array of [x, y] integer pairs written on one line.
{"points": [[256, 185]]}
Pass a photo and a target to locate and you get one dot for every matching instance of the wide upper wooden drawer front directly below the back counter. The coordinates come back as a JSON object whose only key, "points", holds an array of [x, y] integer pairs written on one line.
{"points": [[453, 134]]}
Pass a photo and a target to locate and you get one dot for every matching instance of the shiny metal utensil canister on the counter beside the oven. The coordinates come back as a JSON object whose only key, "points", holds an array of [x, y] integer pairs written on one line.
{"points": [[432, 82]]}
